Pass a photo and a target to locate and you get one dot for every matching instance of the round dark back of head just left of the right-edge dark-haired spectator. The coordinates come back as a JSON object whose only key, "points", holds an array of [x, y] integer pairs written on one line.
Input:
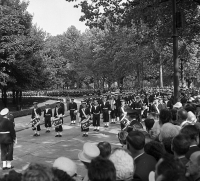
{"points": [[180, 144]]}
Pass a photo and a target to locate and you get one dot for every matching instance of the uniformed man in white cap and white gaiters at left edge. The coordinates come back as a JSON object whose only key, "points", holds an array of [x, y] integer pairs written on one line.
{"points": [[7, 139]]}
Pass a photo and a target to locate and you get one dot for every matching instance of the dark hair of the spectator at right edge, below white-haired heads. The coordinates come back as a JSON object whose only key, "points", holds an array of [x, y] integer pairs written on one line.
{"points": [[192, 132]]}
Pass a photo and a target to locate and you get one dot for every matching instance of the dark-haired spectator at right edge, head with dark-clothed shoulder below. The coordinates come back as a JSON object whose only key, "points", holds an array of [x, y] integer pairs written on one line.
{"points": [[193, 134]]}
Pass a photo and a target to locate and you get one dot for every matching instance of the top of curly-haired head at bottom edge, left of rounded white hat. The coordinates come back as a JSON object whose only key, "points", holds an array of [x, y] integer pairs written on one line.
{"points": [[39, 172]]}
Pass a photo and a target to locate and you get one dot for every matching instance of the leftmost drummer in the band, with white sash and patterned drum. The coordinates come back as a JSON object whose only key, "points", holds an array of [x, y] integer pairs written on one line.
{"points": [[35, 119]]}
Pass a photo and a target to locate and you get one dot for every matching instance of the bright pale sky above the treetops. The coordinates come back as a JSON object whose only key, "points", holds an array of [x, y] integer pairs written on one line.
{"points": [[55, 16]]}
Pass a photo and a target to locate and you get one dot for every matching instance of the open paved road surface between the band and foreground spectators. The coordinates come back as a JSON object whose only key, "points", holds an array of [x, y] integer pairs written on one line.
{"points": [[47, 147]]}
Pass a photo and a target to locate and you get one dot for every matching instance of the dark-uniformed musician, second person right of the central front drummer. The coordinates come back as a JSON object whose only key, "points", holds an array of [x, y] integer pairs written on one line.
{"points": [[105, 109]]}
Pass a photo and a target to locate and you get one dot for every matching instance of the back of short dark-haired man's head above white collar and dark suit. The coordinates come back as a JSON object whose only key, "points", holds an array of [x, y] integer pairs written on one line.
{"points": [[135, 140]]}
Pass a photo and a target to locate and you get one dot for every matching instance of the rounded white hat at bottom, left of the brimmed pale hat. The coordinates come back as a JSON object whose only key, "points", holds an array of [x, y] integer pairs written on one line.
{"points": [[66, 165]]}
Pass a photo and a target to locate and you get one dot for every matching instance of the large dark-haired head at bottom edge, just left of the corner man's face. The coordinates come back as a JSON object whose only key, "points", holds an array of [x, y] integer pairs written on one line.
{"points": [[169, 169]]}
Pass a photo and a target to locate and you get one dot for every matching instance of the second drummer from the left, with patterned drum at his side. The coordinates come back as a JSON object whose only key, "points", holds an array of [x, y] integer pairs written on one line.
{"points": [[58, 113]]}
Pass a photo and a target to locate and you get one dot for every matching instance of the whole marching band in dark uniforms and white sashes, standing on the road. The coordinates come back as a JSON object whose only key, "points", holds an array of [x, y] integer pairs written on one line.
{"points": [[111, 108]]}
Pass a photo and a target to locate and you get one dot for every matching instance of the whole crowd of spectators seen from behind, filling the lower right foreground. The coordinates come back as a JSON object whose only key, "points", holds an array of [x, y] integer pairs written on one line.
{"points": [[164, 148]]}
